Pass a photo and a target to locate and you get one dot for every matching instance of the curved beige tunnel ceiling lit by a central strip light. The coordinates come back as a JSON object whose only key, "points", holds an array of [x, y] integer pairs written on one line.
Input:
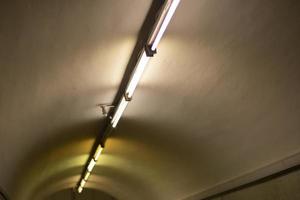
{"points": [[220, 99]]}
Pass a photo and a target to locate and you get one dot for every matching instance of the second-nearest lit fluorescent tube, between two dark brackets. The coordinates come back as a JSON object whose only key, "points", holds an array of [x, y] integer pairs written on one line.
{"points": [[137, 74]]}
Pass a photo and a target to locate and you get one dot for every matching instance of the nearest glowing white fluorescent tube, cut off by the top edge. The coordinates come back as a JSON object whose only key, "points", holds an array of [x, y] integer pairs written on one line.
{"points": [[165, 23]]}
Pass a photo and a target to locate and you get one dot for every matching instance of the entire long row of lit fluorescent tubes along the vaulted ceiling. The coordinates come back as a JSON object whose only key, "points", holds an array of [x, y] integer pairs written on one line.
{"points": [[148, 51]]}
